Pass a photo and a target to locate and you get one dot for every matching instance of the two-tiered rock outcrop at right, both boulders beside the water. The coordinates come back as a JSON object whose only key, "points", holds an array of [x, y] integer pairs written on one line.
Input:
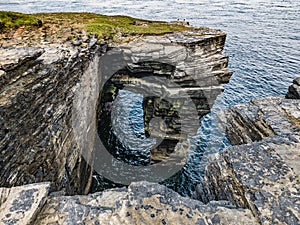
{"points": [[262, 171]]}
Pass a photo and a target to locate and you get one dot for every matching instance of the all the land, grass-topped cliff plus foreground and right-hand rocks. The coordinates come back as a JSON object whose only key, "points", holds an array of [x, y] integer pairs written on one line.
{"points": [[50, 79]]}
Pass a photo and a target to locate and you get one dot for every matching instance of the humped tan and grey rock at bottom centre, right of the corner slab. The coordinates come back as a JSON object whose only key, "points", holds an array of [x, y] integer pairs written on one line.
{"points": [[142, 203]]}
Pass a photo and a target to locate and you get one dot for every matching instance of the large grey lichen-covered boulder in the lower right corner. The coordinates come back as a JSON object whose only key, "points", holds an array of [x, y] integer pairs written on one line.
{"points": [[262, 176]]}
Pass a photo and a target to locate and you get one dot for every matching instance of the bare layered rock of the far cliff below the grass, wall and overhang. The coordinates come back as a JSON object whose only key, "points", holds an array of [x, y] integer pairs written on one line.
{"points": [[49, 94]]}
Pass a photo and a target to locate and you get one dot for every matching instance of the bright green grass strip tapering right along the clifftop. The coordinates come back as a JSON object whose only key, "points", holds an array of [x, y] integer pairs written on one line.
{"points": [[109, 26]]}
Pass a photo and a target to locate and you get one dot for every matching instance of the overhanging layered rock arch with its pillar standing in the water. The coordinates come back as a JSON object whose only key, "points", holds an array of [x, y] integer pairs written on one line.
{"points": [[180, 75]]}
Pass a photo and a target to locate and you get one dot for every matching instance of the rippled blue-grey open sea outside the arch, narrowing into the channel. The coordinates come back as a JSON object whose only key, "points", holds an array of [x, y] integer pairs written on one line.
{"points": [[263, 43]]}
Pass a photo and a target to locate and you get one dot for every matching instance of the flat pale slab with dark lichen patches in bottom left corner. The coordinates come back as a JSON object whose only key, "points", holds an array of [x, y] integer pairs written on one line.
{"points": [[20, 205]]}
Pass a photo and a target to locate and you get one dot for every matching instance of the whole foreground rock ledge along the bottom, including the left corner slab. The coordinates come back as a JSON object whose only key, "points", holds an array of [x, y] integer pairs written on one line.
{"points": [[140, 203]]}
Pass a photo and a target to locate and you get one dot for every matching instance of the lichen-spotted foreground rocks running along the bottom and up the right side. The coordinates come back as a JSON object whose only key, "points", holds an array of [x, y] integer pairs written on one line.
{"points": [[253, 183]]}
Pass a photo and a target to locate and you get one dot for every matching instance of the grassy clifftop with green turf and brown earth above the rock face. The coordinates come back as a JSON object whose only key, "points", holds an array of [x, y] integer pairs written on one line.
{"points": [[66, 26]]}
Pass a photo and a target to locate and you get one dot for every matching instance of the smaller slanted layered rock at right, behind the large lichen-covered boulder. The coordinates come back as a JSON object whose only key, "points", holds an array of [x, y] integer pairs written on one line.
{"points": [[262, 118]]}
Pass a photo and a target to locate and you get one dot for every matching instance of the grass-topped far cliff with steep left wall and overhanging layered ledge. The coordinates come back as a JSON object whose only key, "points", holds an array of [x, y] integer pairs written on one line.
{"points": [[50, 85]]}
